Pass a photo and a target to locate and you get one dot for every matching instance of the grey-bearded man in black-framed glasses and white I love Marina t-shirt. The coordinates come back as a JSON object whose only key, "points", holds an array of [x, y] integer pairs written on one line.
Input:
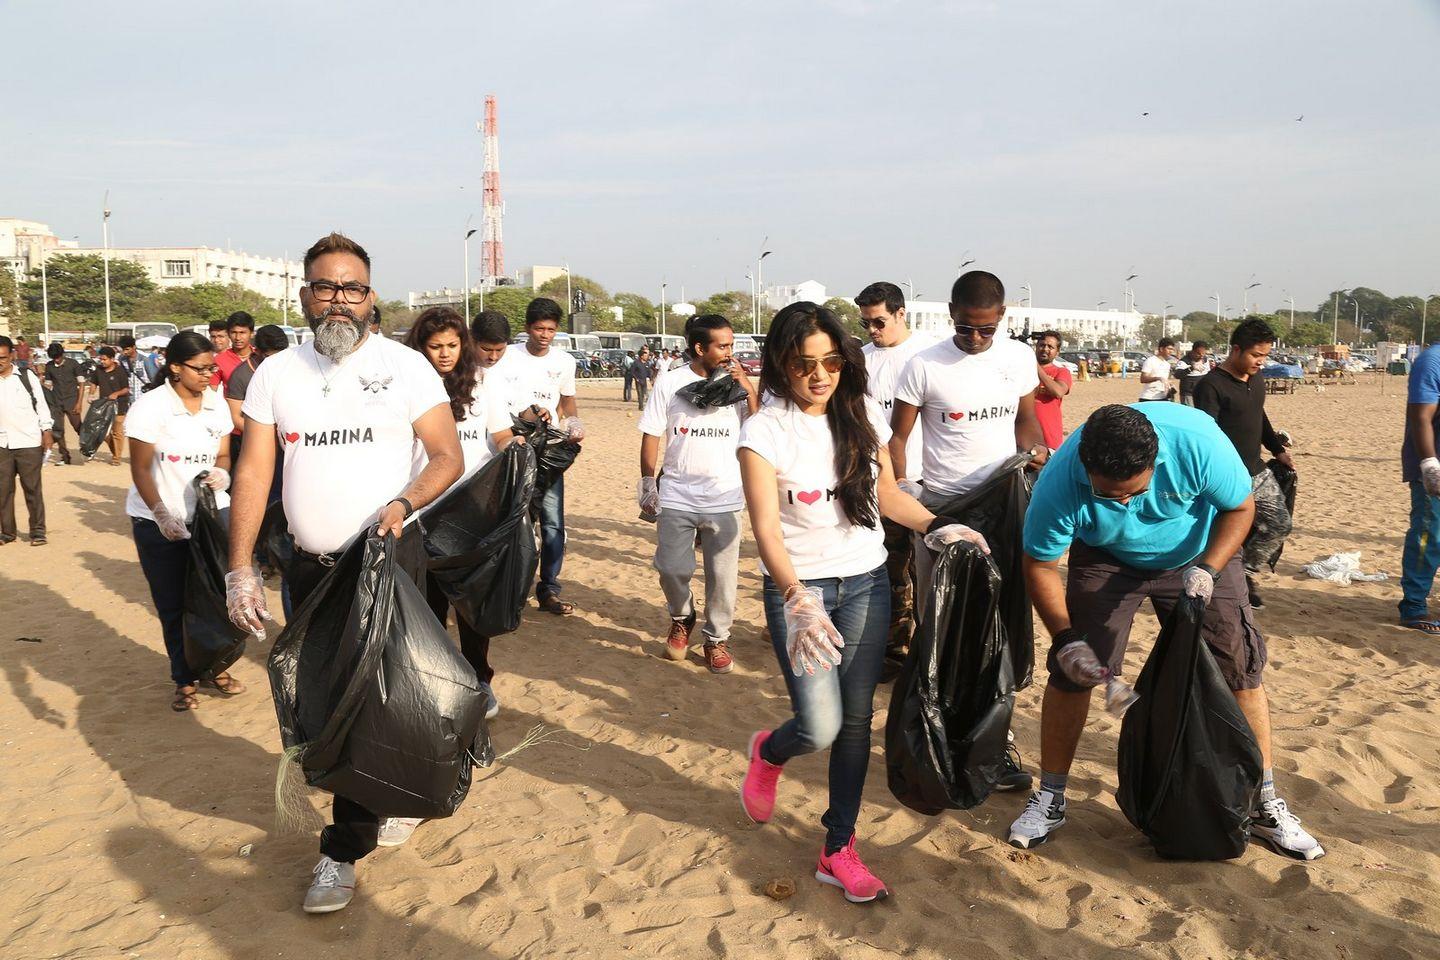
{"points": [[348, 409]]}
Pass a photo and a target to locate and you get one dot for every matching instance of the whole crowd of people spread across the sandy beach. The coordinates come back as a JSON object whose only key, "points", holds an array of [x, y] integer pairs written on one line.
{"points": [[842, 456]]}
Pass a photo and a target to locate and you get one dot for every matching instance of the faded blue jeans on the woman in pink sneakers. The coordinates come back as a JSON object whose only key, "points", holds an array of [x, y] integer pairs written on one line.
{"points": [[833, 709]]}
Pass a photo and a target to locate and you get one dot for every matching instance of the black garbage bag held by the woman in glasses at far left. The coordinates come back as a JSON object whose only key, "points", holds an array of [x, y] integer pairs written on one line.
{"points": [[212, 644]]}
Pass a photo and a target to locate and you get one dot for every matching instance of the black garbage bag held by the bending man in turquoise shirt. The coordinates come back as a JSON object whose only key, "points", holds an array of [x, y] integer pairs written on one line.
{"points": [[1189, 764]]}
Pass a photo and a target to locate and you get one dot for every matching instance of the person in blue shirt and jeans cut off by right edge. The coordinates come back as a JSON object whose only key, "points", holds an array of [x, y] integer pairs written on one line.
{"points": [[1421, 470]]}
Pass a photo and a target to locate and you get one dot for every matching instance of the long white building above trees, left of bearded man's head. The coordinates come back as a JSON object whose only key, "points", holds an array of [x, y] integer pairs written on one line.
{"points": [[171, 267]]}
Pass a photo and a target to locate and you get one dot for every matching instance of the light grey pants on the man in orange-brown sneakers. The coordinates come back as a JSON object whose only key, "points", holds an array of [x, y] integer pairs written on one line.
{"points": [[676, 563]]}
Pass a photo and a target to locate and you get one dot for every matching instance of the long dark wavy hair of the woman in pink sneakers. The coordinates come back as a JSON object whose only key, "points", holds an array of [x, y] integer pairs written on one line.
{"points": [[858, 448]]}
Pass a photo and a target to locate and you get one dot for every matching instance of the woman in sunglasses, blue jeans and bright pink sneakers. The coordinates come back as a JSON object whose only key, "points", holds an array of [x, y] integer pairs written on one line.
{"points": [[817, 481]]}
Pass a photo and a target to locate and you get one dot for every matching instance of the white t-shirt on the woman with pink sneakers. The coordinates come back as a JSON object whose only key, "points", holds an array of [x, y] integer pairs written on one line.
{"points": [[819, 538]]}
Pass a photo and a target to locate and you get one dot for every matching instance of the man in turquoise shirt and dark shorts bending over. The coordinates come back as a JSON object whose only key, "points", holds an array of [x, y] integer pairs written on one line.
{"points": [[1151, 502]]}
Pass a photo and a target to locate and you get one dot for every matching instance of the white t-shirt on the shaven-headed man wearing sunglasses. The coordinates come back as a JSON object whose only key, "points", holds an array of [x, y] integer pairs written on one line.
{"points": [[968, 405]]}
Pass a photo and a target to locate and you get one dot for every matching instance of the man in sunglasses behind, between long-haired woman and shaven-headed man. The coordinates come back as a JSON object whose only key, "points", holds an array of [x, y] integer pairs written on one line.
{"points": [[892, 346]]}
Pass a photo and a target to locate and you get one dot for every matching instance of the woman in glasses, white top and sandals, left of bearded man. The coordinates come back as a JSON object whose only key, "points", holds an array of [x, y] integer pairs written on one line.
{"points": [[179, 430]]}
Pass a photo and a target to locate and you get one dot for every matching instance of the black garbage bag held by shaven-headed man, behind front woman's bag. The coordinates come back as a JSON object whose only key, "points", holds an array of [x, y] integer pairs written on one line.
{"points": [[997, 510]]}
